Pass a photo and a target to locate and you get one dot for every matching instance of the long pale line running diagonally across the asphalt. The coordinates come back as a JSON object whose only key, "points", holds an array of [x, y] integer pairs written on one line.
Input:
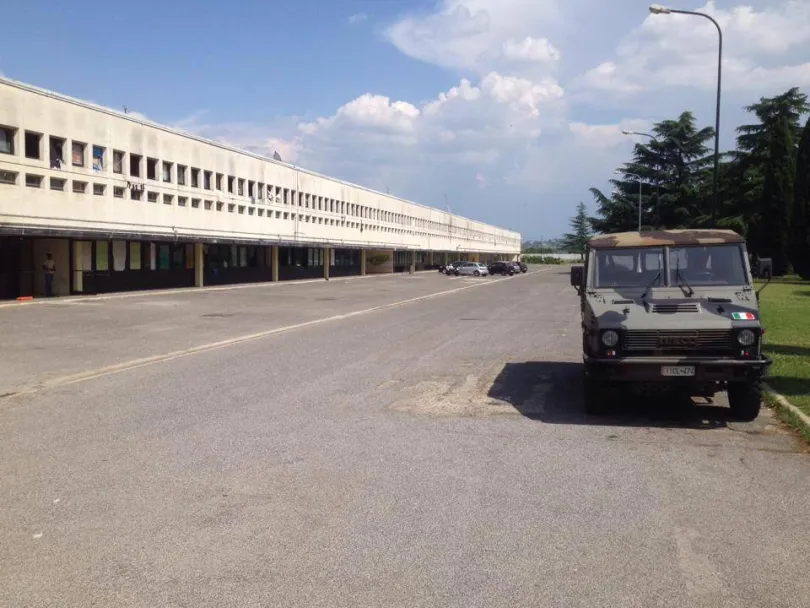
{"points": [[202, 348]]}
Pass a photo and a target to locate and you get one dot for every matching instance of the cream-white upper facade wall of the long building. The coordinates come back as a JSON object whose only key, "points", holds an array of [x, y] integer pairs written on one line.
{"points": [[394, 222]]}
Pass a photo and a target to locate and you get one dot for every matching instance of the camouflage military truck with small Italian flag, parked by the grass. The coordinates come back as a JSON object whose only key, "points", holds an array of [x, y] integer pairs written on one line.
{"points": [[672, 312]]}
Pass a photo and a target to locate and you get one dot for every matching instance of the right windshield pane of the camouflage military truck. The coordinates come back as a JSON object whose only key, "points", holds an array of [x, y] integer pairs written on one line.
{"points": [[708, 265]]}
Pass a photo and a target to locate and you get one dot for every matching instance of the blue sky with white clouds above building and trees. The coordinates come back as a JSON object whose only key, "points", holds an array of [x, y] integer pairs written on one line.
{"points": [[506, 111]]}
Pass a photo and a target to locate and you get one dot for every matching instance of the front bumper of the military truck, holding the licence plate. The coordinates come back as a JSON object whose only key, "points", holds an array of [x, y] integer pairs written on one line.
{"points": [[655, 369]]}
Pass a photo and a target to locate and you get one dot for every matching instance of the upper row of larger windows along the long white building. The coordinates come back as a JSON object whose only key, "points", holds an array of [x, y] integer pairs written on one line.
{"points": [[194, 177]]}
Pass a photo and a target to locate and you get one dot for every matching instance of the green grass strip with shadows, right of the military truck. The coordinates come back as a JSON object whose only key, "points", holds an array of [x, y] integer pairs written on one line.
{"points": [[785, 310]]}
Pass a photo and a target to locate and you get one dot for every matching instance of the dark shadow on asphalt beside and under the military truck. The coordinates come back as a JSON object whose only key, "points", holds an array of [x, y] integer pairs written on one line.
{"points": [[551, 392]]}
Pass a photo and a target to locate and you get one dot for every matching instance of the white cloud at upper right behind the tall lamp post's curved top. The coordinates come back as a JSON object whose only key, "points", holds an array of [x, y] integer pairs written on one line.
{"points": [[680, 51]]}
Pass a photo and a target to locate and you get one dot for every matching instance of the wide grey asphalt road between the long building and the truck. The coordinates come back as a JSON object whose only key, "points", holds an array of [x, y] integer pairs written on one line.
{"points": [[194, 449]]}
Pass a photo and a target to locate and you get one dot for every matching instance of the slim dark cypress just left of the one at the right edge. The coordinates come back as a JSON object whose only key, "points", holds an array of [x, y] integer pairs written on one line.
{"points": [[777, 198]]}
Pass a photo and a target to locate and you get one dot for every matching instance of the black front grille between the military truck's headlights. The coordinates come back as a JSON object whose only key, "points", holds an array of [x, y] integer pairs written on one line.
{"points": [[688, 341]]}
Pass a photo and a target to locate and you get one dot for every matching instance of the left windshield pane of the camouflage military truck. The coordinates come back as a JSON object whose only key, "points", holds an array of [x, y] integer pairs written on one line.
{"points": [[629, 267]]}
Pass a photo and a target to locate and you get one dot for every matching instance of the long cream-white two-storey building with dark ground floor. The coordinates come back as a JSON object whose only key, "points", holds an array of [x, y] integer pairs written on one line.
{"points": [[121, 203]]}
